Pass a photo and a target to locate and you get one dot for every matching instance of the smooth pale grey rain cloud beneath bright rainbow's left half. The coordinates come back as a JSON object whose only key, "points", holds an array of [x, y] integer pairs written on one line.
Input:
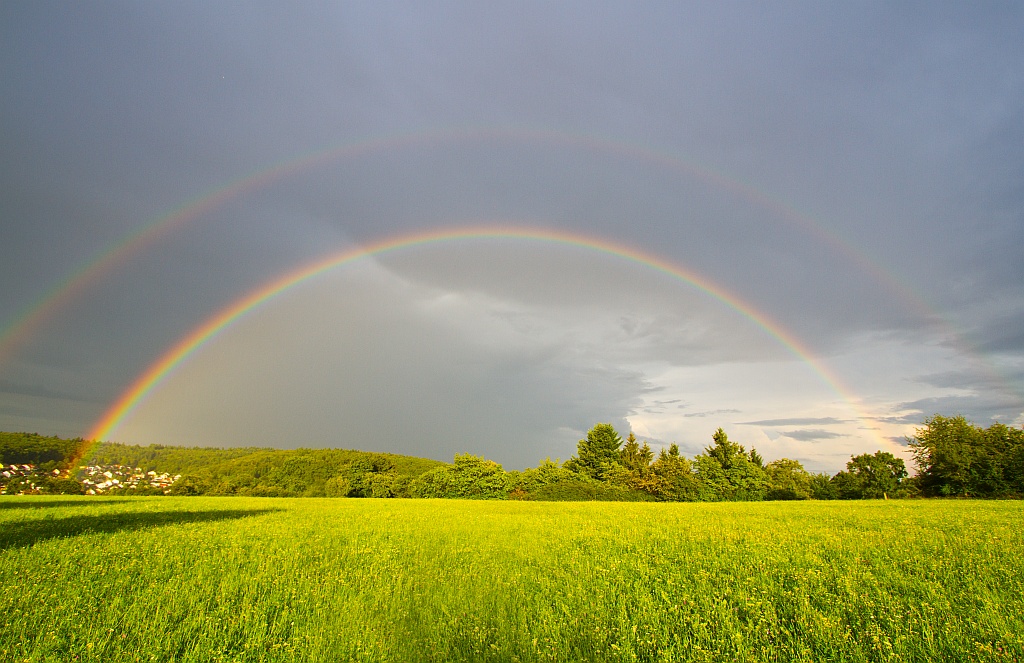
{"points": [[392, 366]]}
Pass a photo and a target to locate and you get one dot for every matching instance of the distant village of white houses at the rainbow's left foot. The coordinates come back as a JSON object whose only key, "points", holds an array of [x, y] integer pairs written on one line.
{"points": [[94, 480]]}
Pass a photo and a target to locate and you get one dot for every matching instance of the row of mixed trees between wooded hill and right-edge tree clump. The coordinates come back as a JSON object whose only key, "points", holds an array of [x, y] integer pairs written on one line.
{"points": [[606, 467]]}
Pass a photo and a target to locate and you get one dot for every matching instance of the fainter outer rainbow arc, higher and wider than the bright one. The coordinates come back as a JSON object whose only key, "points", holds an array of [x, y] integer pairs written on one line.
{"points": [[29, 320]]}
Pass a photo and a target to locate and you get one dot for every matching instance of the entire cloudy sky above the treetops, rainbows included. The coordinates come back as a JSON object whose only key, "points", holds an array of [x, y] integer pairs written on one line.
{"points": [[799, 222]]}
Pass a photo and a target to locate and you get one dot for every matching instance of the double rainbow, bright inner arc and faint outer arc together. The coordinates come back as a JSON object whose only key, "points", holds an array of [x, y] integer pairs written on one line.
{"points": [[22, 326]]}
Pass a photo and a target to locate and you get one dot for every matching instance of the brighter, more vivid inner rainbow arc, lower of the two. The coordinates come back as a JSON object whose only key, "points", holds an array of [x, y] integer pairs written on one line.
{"points": [[160, 370]]}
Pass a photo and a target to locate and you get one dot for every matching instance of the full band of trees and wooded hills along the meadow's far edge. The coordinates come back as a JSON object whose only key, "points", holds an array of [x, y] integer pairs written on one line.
{"points": [[953, 458]]}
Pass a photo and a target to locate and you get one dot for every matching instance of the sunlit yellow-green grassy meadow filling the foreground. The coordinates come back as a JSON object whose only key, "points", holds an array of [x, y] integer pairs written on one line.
{"points": [[250, 579]]}
